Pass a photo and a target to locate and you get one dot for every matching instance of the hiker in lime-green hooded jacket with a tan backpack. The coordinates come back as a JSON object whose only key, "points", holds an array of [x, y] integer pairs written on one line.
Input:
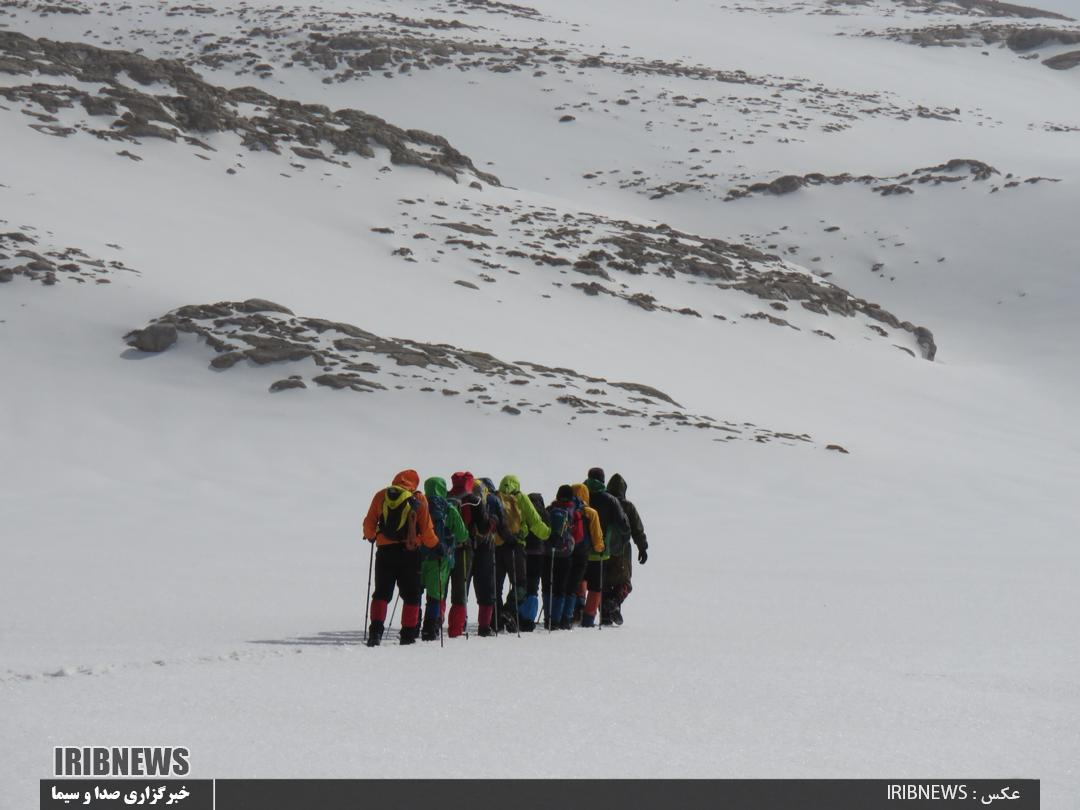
{"points": [[520, 518]]}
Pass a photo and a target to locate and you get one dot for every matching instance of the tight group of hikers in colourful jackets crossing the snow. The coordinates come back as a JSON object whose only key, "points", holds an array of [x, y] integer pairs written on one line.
{"points": [[572, 558]]}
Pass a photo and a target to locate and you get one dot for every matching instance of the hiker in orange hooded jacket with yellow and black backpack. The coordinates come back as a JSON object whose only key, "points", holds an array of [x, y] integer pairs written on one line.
{"points": [[399, 523]]}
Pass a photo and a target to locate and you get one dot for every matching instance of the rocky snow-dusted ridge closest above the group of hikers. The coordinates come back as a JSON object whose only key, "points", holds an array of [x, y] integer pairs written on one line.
{"points": [[266, 333]]}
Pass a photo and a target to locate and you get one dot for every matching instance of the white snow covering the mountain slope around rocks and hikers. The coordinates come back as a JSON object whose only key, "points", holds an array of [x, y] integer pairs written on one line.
{"points": [[182, 553]]}
